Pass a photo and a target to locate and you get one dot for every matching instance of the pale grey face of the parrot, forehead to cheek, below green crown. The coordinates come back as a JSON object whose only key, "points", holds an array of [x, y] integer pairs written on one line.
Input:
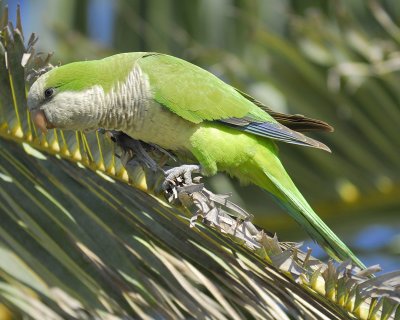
{"points": [[52, 108]]}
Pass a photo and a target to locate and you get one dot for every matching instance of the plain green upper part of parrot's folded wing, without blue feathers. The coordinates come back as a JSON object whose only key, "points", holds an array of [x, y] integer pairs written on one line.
{"points": [[194, 93]]}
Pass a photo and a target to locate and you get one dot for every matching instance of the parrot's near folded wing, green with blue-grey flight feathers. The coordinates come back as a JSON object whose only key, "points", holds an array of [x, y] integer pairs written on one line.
{"points": [[197, 95]]}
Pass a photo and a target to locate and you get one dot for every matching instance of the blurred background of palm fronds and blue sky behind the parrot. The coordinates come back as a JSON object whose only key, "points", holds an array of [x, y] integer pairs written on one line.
{"points": [[334, 60]]}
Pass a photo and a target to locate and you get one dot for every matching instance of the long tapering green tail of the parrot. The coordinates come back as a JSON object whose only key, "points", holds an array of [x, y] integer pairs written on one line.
{"points": [[278, 182]]}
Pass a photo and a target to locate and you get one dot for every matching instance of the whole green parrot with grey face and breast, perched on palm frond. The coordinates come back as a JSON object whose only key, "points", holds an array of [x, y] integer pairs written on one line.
{"points": [[163, 100]]}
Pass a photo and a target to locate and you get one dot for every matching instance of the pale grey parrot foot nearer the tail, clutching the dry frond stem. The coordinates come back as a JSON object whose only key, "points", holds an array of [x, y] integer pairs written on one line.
{"points": [[180, 176]]}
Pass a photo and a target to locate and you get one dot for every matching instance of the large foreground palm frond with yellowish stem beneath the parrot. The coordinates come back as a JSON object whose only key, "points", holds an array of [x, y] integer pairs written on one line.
{"points": [[76, 243]]}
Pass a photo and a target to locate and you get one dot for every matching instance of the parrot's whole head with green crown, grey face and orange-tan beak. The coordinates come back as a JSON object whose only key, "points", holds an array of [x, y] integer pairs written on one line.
{"points": [[62, 99]]}
